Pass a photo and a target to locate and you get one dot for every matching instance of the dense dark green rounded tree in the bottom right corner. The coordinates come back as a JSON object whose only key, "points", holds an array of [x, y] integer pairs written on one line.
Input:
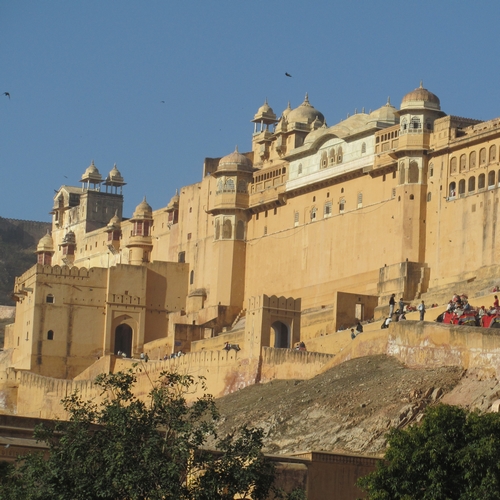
{"points": [[452, 454]]}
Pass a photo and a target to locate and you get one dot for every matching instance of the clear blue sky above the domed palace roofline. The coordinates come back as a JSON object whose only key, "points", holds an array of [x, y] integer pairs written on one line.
{"points": [[87, 78]]}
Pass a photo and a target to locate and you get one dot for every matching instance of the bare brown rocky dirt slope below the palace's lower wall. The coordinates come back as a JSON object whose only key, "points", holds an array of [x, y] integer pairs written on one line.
{"points": [[349, 408]]}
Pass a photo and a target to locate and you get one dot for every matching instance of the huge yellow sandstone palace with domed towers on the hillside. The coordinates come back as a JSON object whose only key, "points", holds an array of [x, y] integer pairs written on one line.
{"points": [[312, 229]]}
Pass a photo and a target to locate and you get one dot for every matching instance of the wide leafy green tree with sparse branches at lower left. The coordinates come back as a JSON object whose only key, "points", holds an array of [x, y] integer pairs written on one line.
{"points": [[127, 448]]}
